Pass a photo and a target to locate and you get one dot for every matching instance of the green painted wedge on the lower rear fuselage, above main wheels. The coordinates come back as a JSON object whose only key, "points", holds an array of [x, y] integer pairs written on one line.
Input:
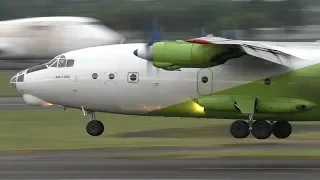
{"points": [[276, 101]]}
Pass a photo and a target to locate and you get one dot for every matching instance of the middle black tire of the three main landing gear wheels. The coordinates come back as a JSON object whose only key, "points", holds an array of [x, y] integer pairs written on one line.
{"points": [[261, 129]]}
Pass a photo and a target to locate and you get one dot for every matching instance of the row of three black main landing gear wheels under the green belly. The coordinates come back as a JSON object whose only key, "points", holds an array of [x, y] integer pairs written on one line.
{"points": [[260, 129]]}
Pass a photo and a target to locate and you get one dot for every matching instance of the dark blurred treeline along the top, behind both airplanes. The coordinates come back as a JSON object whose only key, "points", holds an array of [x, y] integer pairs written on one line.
{"points": [[174, 15]]}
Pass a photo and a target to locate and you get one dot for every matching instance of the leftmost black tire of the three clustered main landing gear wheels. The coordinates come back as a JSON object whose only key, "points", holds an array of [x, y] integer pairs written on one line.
{"points": [[239, 129]]}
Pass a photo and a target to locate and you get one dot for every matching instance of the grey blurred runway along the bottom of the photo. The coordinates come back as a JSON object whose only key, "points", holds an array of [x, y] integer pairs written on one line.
{"points": [[86, 165]]}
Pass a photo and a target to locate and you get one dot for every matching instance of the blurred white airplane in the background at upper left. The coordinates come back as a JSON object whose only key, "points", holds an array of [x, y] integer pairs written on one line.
{"points": [[41, 38]]}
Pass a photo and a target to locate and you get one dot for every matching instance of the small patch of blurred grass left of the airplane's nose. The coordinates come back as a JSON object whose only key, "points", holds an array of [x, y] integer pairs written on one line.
{"points": [[6, 90]]}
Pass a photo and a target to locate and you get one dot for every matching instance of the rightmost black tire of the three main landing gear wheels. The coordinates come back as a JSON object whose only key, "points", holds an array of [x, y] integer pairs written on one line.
{"points": [[282, 129]]}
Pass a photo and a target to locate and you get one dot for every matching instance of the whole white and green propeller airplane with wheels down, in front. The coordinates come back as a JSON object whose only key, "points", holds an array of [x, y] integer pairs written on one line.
{"points": [[262, 85]]}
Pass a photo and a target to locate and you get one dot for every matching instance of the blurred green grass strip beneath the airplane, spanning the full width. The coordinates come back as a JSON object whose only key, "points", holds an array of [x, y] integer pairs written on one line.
{"points": [[55, 129]]}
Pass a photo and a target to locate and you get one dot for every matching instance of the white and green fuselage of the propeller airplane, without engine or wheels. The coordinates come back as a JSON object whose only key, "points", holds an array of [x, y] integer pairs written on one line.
{"points": [[113, 79]]}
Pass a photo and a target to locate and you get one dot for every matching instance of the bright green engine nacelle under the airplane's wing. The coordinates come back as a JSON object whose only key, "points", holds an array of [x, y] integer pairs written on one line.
{"points": [[179, 54]]}
